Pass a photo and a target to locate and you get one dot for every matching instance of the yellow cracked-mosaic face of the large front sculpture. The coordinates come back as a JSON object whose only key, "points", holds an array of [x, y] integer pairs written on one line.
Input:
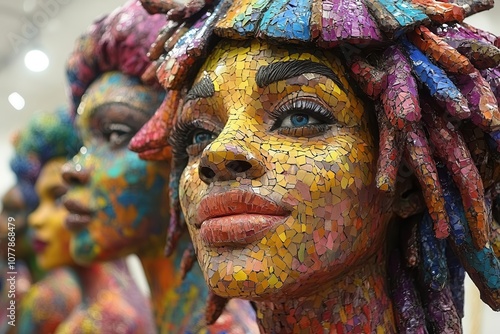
{"points": [[279, 185]]}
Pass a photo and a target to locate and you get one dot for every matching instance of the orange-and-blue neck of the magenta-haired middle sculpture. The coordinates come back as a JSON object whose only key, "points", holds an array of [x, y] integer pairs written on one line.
{"points": [[178, 304]]}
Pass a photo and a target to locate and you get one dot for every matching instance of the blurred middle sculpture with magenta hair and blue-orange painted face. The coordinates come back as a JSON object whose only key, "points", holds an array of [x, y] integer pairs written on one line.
{"points": [[117, 201]]}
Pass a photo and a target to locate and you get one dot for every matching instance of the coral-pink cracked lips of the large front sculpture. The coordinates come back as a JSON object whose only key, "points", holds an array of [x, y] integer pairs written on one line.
{"points": [[237, 218]]}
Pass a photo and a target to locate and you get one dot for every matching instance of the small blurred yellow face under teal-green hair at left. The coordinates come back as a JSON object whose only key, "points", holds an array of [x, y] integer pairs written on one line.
{"points": [[51, 238]]}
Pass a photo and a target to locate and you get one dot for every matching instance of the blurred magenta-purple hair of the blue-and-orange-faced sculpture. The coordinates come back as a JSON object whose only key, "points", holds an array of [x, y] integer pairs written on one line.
{"points": [[116, 42]]}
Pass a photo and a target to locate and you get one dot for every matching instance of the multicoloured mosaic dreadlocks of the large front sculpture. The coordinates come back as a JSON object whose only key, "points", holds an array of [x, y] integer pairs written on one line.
{"points": [[436, 83]]}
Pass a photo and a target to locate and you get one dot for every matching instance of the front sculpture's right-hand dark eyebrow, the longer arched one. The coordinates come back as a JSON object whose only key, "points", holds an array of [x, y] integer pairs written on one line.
{"points": [[290, 69]]}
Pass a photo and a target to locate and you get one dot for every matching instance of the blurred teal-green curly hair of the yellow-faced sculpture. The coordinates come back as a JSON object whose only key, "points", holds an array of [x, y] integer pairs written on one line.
{"points": [[48, 135]]}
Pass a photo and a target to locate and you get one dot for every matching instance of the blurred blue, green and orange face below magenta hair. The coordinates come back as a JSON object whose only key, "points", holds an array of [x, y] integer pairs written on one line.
{"points": [[110, 214]]}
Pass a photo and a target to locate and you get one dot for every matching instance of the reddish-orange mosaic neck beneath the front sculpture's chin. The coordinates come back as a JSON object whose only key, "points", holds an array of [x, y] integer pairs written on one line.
{"points": [[355, 303]]}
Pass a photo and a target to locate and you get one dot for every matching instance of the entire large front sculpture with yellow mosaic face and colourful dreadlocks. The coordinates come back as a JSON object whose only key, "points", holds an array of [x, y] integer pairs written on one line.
{"points": [[335, 161]]}
